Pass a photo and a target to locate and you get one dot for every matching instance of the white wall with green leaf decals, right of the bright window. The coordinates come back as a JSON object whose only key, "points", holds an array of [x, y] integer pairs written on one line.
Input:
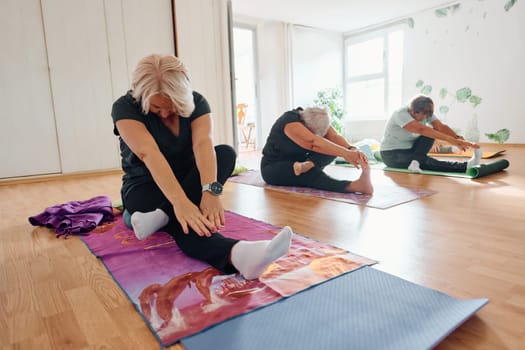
{"points": [[481, 46]]}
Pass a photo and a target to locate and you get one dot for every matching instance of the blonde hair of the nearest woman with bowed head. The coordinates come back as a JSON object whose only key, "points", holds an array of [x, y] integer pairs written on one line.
{"points": [[166, 75]]}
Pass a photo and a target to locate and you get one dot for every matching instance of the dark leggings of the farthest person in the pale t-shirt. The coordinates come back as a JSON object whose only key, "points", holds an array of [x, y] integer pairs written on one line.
{"points": [[401, 158]]}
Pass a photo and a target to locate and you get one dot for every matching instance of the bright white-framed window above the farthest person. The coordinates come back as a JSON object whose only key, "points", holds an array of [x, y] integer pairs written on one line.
{"points": [[373, 81]]}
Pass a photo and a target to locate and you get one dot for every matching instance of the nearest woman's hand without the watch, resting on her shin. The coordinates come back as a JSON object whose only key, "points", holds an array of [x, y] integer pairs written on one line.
{"points": [[188, 214]]}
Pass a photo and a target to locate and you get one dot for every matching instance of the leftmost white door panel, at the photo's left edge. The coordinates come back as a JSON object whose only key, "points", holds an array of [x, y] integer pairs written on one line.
{"points": [[28, 140]]}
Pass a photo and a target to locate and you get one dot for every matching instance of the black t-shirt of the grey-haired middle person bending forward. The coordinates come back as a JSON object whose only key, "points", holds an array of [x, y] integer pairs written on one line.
{"points": [[279, 146]]}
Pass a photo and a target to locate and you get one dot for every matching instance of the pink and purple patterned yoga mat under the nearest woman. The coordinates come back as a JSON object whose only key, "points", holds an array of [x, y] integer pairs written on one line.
{"points": [[178, 296]]}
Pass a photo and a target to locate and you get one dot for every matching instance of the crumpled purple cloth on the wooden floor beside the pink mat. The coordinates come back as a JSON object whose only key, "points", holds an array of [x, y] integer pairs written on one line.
{"points": [[75, 217]]}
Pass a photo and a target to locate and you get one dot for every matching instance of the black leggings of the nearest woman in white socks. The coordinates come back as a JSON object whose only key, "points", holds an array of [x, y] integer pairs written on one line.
{"points": [[214, 250]]}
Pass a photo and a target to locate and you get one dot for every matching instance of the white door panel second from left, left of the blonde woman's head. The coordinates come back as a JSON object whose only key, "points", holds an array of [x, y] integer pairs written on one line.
{"points": [[77, 46]]}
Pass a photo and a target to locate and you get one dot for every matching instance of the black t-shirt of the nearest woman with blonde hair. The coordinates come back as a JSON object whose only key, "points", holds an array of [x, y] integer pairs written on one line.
{"points": [[177, 150]]}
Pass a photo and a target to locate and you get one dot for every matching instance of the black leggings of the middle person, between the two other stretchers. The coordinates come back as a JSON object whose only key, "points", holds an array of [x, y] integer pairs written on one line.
{"points": [[280, 173]]}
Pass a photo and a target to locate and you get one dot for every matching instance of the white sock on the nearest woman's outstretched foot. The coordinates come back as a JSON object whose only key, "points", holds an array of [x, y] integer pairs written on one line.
{"points": [[251, 258]]}
